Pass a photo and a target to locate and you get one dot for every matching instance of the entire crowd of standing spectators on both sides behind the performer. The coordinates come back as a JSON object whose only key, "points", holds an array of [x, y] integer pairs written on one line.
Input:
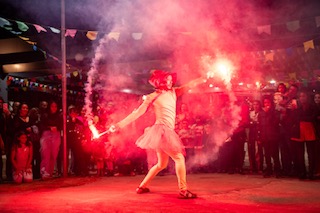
{"points": [[274, 132]]}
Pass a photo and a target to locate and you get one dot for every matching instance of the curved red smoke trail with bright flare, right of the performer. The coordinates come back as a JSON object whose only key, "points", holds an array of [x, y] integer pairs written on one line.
{"points": [[227, 115]]}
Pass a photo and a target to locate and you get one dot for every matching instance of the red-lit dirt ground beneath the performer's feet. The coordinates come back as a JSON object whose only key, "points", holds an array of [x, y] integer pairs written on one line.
{"points": [[217, 193]]}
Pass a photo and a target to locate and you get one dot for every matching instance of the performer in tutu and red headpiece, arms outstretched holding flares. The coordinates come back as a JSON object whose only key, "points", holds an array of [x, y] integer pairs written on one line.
{"points": [[161, 137]]}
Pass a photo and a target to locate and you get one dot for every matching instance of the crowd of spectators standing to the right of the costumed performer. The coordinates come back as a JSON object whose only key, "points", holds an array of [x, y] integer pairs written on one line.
{"points": [[275, 132]]}
